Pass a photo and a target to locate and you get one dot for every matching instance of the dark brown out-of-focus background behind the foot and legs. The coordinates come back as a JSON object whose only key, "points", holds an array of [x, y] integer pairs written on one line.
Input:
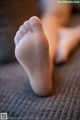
{"points": [[12, 14]]}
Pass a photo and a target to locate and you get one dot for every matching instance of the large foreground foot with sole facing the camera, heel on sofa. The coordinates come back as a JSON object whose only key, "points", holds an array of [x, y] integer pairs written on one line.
{"points": [[32, 52]]}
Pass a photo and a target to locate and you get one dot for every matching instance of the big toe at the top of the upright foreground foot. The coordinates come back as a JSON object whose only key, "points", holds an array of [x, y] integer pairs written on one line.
{"points": [[35, 24]]}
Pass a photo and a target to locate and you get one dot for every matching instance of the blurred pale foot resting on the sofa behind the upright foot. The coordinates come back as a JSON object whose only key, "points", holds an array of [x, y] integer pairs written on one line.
{"points": [[68, 39]]}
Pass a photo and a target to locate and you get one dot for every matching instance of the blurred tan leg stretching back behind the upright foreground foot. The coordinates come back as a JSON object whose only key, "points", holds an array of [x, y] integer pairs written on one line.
{"points": [[54, 16]]}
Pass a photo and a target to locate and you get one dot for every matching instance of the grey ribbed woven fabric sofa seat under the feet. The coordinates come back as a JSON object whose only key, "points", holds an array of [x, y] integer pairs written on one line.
{"points": [[19, 101]]}
